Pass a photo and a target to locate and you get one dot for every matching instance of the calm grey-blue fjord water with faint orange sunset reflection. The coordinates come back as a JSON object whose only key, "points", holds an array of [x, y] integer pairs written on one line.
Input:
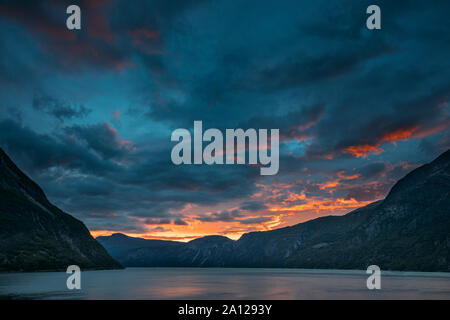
{"points": [[218, 283]]}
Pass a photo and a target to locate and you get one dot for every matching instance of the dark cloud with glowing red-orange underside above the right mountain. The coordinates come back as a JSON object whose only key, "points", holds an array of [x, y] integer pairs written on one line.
{"points": [[413, 117]]}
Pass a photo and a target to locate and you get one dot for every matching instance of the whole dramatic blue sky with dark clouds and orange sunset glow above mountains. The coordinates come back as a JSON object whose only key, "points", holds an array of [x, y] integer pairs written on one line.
{"points": [[88, 114]]}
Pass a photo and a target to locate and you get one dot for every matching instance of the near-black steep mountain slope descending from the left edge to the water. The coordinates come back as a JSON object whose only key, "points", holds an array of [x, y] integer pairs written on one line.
{"points": [[36, 235]]}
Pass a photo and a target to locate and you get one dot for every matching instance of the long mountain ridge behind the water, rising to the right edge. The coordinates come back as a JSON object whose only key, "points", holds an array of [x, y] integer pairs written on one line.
{"points": [[408, 230]]}
